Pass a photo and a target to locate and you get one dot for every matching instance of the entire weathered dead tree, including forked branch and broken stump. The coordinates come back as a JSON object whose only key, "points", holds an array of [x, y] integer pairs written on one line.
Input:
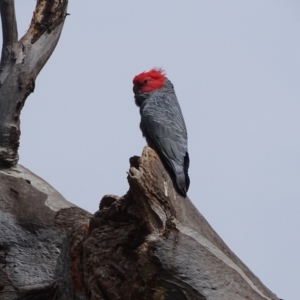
{"points": [[149, 244]]}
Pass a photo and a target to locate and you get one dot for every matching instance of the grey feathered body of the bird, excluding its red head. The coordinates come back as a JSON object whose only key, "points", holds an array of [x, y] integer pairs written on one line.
{"points": [[163, 126]]}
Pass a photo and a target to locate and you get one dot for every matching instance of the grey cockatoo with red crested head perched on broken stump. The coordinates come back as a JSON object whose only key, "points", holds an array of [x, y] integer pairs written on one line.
{"points": [[162, 124]]}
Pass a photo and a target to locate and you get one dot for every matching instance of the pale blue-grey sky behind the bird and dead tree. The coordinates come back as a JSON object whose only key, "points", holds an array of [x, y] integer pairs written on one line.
{"points": [[236, 70]]}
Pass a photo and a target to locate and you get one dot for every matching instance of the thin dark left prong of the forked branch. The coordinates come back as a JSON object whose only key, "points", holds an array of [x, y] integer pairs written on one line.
{"points": [[9, 31]]}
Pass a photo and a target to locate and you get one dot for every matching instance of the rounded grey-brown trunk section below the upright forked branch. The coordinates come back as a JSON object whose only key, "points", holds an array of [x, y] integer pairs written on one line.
{"points": [[39, 232]]}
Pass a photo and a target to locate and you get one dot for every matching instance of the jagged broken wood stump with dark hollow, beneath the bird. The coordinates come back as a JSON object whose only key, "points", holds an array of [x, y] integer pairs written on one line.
{"points": [[154, 244]]}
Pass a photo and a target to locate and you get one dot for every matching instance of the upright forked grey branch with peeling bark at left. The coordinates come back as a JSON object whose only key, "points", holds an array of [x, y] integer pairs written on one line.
{"points": [[21, 62]]}
